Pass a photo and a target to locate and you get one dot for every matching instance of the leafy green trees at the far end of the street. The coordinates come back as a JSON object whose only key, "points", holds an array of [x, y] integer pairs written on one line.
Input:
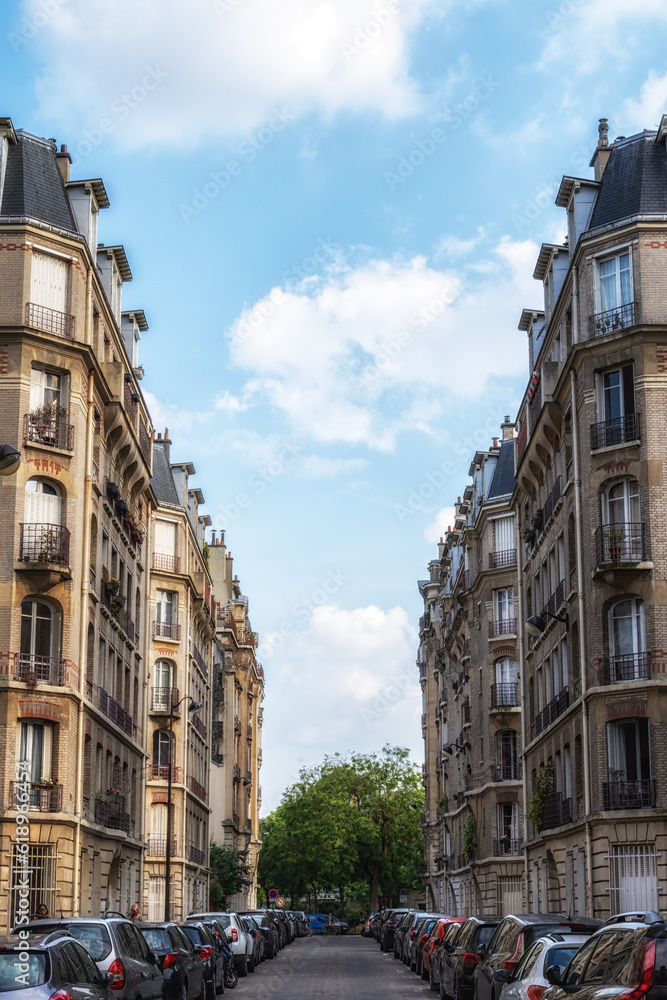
{"points": [[354, 818]]}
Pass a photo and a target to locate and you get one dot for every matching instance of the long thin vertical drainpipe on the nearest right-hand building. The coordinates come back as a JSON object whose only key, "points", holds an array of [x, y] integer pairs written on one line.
{"points": [[583, 667]]}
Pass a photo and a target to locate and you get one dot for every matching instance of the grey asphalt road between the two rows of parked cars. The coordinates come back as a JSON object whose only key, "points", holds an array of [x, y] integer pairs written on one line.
{"points": [[348, 967]]}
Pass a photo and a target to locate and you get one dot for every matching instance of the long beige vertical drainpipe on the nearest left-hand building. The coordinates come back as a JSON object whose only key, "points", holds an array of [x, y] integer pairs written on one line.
{"points": [[83, 641]]}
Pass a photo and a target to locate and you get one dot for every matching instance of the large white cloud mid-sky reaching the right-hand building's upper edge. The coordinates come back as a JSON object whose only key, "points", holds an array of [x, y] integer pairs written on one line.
{"points": [[360, 354]]}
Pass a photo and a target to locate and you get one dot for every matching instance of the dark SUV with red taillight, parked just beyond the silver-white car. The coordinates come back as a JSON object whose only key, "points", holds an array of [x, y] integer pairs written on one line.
{"points": [[512, 937]]}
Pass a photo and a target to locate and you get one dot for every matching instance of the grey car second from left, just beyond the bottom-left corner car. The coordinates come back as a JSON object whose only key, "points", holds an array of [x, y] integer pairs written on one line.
{"points": [[117, 946]]}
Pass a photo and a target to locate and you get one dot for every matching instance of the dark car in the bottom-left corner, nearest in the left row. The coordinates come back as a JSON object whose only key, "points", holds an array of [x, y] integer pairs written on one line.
{"points": [[56, 964]]}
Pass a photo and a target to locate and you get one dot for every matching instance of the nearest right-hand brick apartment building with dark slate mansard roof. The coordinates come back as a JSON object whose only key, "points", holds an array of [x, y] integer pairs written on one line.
{"points": [[590, 504]]}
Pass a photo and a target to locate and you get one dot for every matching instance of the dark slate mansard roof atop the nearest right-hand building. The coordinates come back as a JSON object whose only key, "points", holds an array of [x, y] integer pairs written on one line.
{"points": [[634, 181]]}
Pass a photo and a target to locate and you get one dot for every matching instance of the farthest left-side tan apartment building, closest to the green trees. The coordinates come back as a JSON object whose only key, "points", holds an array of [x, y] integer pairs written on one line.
{"points": [[238, 715]]}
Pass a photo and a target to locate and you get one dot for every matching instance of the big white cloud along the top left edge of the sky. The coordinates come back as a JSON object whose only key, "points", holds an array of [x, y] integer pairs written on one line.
{"points": [[223, 66]]}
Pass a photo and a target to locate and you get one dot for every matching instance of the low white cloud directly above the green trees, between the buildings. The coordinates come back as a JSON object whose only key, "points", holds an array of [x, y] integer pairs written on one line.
{"points": [[346, 682]]}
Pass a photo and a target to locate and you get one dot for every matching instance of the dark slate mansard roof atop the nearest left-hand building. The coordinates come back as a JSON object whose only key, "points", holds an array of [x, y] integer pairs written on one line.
{"points": [[33, 183]]}
